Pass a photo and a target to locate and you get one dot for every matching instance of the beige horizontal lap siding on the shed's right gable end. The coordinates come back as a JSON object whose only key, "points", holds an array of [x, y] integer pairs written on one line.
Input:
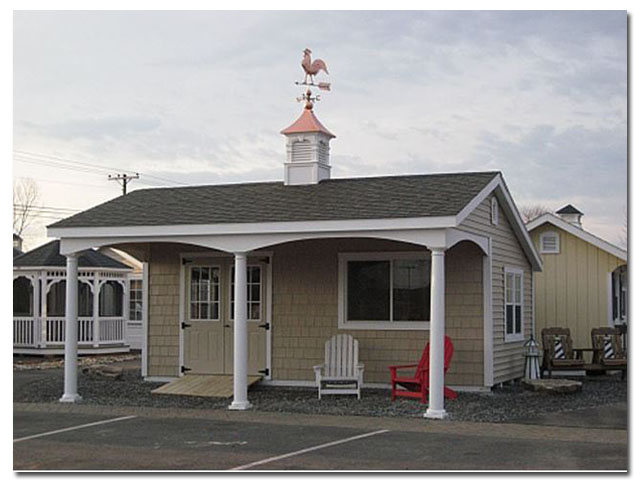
{"points": [[508, 359]]}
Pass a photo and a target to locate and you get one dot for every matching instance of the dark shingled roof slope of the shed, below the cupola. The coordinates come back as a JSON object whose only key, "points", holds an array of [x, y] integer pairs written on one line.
{"points": [[335, 199]]}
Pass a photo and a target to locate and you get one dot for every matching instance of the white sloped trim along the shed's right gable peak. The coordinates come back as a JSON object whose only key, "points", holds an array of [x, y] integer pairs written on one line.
{"points": [[502, 192]]}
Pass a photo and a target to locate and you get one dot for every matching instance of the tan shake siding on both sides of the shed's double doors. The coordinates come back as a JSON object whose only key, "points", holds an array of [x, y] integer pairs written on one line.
{"points": [[305, 311]]}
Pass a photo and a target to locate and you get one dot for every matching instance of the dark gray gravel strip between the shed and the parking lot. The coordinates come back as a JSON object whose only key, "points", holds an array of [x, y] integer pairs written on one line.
{"points": [[508, 403]]}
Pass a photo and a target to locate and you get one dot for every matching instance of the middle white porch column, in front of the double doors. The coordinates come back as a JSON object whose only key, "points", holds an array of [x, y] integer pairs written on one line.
{"points": [[240, 401]]}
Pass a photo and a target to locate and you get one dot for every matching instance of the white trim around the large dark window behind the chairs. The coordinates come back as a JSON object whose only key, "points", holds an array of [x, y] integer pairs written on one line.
{"points": [[343, 323]]}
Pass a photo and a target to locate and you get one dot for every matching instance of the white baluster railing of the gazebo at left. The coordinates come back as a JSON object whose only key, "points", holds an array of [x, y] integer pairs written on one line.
{"points": [[27, 331]]}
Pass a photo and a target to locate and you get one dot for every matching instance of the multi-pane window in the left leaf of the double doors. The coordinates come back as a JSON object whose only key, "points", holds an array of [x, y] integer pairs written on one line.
{"points": [[205, 293]]}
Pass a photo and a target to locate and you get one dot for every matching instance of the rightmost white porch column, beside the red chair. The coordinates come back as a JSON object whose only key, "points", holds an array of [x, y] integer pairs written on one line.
{"points": [[436, 337]]}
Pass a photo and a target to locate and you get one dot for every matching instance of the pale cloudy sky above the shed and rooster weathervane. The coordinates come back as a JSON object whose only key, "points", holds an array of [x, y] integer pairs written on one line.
{"points": [[200, 98]]}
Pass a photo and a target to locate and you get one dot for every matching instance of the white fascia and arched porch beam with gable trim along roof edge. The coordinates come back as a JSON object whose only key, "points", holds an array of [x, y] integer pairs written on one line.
{"points": [[433, 231]]}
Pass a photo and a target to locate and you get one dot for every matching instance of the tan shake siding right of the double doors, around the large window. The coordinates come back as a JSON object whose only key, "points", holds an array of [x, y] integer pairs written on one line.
{"points": [[305, 313]]}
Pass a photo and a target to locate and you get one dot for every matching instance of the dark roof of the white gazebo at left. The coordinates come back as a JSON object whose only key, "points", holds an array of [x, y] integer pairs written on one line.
{"points": [[49, 255]]}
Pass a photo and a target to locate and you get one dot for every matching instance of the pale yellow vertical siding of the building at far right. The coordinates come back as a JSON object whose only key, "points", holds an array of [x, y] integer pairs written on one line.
{"points": [[575, 279]]}
